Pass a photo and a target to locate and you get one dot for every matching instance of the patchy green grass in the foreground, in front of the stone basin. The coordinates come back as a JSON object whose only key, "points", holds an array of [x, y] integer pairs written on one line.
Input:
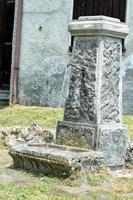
{"points": [[46, 191]]}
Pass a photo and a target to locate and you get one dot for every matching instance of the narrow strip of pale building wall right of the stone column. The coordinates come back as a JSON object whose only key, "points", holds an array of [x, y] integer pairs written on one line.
{"points": [[128, 63]]}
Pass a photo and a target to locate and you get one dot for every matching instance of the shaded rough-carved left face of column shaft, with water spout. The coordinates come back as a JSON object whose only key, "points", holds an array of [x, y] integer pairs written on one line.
{"points": [[81, 104]]}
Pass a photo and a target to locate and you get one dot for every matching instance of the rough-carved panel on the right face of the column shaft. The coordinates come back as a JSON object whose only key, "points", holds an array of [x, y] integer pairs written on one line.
{"points": [[110, 100]]}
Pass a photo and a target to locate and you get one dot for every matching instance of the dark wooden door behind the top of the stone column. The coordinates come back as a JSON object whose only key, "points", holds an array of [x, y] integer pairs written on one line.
{"points": [[111, 8]]}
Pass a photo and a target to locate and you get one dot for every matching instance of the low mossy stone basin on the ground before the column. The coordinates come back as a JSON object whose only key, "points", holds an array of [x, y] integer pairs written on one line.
{"points": [[52, 159]]}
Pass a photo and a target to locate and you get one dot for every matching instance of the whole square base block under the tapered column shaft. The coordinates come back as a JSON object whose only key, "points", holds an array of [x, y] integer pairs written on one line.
{"points": [[109, 139]]}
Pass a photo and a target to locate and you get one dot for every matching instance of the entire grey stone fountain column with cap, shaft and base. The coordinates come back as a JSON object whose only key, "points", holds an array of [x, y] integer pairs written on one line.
{"points": [[93, 110]]}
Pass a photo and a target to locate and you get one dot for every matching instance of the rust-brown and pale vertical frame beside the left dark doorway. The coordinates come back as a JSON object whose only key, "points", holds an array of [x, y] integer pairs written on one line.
{"points": [[16, 52]]}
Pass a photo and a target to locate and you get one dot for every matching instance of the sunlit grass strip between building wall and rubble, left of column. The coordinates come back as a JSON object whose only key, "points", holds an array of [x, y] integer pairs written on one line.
{"points": [[25, 116]]}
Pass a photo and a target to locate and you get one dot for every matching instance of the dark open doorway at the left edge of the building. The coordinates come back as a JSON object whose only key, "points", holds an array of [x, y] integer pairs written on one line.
{"points": [[7, 8]]}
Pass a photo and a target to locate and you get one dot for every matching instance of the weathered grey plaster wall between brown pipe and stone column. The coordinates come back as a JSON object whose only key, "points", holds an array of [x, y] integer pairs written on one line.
{"points": [[44, 51]]}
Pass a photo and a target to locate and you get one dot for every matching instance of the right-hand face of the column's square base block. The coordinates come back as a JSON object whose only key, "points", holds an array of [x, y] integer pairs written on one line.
{"points": [[112, 142]]}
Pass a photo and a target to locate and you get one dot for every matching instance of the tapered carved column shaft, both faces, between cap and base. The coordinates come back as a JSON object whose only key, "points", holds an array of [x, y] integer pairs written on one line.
{"points": [[95, 84]]}
